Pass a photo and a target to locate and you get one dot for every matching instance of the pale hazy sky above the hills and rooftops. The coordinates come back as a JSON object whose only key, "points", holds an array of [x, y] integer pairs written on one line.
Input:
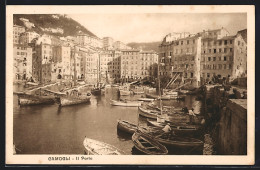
{"points": [[151, 27]]}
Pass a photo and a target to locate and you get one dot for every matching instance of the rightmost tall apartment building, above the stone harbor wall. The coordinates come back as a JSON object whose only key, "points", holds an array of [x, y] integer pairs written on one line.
{"points": [[223, 56]]}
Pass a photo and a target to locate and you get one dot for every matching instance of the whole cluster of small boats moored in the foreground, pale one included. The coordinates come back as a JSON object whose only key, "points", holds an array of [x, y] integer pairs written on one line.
{"points": [[151, 139]]}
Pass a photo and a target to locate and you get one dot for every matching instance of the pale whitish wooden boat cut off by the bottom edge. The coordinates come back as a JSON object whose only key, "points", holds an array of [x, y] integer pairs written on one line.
{"points": [[94, 147]]}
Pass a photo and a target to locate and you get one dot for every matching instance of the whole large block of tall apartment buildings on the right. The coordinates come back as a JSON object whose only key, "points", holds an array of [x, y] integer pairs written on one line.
{"points": [[208, 53]]}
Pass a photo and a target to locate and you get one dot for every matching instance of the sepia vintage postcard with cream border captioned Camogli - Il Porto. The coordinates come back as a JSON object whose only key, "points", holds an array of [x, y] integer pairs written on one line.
{"points": [[143, 85]]}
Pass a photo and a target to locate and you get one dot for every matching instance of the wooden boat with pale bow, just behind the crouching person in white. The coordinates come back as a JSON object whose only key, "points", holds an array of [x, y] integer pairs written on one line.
{"points": [[178, 128]]}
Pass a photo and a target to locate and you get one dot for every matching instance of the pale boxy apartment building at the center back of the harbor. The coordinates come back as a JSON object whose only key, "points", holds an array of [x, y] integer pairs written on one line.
{"points": [[136, 64]]}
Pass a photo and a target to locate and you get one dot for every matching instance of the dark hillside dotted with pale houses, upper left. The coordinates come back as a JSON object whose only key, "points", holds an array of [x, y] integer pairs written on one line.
{"points": [[48, 23]]}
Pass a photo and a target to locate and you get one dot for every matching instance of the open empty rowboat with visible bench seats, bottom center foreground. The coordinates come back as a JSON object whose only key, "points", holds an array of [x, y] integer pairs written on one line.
{"points": [[147, 145]]}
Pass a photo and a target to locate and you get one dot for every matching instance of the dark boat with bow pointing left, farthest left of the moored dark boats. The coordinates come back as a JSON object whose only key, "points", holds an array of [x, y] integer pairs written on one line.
{"points": [[130, 128]]}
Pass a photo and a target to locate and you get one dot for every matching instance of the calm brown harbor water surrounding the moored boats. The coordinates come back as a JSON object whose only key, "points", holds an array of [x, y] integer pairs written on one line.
{"points": [[50, 129]]}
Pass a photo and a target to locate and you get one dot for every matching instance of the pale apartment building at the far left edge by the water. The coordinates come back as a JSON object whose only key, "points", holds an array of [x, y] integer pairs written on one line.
{"points": [[22, 66]]}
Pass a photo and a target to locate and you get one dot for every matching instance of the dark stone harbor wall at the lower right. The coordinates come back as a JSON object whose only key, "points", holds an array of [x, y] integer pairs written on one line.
{"points": [[226, 114]]}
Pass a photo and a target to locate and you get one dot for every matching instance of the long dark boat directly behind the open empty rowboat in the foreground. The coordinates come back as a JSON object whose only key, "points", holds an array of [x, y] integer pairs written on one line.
{"points": [[174, 141]]}
